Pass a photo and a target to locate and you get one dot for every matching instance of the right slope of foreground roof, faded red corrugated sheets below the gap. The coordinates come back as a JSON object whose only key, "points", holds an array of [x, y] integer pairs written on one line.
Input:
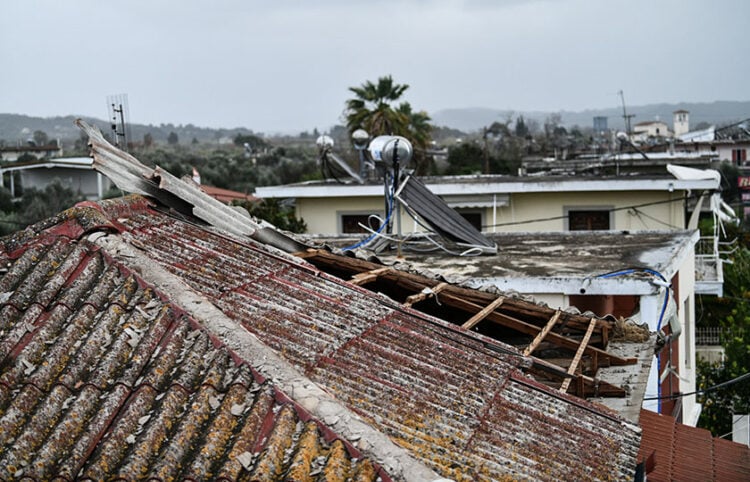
{"points": [[442, 393]]}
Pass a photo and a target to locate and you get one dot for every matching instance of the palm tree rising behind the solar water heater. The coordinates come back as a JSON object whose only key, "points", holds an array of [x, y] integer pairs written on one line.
{"points": [[372, 110]]}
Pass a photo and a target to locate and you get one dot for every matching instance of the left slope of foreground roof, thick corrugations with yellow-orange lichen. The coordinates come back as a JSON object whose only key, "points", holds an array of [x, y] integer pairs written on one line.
{"points": [[101, 378]]}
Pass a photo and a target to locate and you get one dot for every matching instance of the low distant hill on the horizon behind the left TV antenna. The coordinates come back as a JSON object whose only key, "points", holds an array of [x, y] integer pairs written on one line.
{"points": [[18, 128]]}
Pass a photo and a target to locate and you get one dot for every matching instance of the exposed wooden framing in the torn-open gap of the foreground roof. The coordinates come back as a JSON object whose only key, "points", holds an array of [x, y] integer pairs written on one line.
{"points": [[567, 347]]}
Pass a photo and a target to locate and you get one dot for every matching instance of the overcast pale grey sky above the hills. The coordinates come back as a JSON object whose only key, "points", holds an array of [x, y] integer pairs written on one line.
{"points": [[285, 66]]}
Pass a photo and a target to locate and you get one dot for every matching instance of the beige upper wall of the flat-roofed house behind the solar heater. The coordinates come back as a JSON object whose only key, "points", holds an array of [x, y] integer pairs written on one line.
{"points": [[322, 214]]}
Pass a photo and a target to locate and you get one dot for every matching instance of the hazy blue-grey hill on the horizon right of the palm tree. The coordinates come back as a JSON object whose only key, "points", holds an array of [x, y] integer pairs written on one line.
{"points": [[719, 112]]}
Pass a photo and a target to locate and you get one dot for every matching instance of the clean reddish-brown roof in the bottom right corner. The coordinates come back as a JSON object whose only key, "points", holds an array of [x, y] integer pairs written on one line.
{"points": [[681, 452]]}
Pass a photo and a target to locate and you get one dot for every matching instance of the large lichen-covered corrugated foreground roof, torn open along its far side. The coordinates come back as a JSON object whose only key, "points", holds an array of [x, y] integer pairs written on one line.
{"points": [[414, 395]]}
